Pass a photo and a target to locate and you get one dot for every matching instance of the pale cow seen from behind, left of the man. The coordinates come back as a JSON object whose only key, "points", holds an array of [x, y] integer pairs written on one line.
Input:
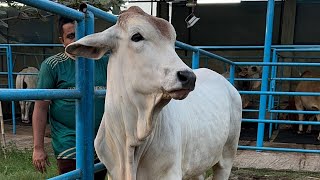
{"points": [[24, 81]]}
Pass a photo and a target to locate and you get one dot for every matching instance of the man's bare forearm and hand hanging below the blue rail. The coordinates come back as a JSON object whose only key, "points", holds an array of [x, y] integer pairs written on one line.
{"points": [[39, 122]]}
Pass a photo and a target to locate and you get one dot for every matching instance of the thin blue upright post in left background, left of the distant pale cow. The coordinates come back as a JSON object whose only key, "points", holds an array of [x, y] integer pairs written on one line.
{"points": [[10, 85]]}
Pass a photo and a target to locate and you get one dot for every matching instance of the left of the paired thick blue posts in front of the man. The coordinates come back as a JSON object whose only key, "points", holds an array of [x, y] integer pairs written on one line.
{"points": [[80, 116]]}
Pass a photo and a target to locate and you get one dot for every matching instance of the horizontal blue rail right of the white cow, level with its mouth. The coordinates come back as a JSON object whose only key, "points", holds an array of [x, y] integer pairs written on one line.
{"points": [[280, 93]]}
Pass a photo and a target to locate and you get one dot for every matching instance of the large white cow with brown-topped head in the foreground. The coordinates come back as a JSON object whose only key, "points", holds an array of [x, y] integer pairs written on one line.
{"points": [[146, 132]]}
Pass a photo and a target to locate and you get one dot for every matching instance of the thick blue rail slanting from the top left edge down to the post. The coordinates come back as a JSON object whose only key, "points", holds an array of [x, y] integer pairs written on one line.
{"points": [[53, 7]]}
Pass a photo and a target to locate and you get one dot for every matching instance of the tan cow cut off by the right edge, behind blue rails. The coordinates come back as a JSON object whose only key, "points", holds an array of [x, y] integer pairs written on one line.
{"points": [[308, 102]]}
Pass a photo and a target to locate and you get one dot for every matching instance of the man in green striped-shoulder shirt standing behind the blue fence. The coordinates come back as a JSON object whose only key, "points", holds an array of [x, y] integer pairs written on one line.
{"points": [[58, 72]]}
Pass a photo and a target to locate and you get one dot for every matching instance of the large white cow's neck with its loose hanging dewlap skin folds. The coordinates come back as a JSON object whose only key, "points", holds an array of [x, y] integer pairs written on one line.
{"points": [[131, 116]]}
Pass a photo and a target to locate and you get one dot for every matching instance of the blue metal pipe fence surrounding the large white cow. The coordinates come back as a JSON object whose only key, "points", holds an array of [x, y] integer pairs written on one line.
{"points": [[84, 93]]}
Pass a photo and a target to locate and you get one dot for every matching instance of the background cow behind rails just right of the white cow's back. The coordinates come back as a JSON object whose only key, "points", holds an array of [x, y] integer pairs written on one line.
{"points": [[249, 72]]}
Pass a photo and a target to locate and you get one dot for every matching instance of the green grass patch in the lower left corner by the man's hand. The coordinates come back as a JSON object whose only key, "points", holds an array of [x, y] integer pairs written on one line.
{"points": [[18, 165]]}
